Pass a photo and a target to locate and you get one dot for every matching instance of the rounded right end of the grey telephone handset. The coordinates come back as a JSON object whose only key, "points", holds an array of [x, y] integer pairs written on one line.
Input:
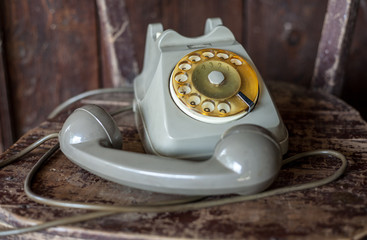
{"points": [[248, 150]]}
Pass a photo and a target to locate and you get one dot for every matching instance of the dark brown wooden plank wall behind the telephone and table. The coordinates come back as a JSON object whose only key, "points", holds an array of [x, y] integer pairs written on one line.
{"points": [[51, 50]]}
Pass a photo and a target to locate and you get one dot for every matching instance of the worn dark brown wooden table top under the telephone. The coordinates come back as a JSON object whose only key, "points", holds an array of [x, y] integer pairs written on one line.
{"points": [[314, 121]]}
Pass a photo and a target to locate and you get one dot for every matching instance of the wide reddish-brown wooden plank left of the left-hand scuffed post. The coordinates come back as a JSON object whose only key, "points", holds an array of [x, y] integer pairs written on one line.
{"points": [[51, 55]]}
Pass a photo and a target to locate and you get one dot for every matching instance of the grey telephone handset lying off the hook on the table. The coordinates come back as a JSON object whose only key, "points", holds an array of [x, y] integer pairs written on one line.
{"points": [[246, 160]]}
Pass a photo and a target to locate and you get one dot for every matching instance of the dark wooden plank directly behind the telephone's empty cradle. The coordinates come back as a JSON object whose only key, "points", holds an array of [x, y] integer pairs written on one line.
{"points": [[187, 17]]}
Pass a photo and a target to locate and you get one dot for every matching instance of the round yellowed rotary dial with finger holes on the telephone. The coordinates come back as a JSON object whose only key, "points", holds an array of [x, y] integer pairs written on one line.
{"points": [[214, 85]]}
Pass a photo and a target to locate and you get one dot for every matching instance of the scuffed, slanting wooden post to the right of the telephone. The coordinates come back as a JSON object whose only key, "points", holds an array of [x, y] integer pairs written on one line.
{"points": [[334, 45]]}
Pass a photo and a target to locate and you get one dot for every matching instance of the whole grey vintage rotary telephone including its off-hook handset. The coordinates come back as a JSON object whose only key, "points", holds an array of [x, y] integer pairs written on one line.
{"points": [[202, 110]]}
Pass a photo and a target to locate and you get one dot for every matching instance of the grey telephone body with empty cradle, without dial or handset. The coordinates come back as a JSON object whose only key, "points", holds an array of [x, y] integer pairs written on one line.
{"points": [[167, 130]]}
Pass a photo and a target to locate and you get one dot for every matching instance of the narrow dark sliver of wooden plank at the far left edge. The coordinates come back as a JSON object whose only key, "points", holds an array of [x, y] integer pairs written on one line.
{"points": [[6, 133]]}
